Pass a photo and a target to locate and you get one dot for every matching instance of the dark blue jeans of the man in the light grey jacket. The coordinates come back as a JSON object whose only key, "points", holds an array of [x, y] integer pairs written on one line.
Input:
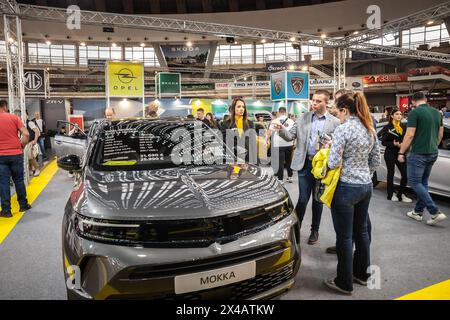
{"points": [[306, 183]]}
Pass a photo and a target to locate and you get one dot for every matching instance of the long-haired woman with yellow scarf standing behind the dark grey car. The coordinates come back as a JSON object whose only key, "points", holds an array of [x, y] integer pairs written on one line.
{"points": [[238, 126]]}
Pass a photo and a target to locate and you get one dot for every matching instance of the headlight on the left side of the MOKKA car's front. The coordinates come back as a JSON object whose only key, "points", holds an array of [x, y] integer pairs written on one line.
{"points": [[102, 230]]}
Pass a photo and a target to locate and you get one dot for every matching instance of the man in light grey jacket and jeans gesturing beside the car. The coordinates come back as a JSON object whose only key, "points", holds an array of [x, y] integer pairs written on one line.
{"points": [[307, 130]]}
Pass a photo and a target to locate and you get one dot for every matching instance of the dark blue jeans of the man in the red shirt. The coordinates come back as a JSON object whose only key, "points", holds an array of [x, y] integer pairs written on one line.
{"points": [[12, 166]]}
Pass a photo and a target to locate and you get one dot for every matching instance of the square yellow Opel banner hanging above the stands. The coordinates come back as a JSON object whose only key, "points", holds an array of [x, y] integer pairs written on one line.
{"points": [[125, 79]]}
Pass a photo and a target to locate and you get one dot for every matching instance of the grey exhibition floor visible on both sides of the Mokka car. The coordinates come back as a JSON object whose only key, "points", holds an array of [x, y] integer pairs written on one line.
{"points": [[410, 255]]}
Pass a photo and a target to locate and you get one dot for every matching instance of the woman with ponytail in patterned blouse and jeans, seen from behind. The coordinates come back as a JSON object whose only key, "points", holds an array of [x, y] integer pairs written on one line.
{"points": [[355, 147]]}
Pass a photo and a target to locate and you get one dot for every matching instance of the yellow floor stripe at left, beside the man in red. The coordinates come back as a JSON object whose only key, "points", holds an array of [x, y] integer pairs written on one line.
{"points": [[35, 187]]}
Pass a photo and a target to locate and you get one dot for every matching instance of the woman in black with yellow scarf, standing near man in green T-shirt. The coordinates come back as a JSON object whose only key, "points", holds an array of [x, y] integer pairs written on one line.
{"points": [[392, 138]]}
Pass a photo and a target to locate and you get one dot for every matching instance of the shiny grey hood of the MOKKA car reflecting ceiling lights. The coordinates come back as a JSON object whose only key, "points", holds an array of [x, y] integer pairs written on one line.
{"points": [[198, 192]]}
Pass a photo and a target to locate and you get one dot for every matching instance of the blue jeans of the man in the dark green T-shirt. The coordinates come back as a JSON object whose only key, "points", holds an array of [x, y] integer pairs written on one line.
{"points": [[419, 170]]}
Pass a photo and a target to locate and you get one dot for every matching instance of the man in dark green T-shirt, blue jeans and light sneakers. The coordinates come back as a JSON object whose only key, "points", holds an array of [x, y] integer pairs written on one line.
{"points": [[424, 134]]}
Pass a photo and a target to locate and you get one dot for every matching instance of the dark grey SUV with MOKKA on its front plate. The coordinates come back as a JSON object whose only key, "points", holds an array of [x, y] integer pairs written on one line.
{"points": [[159, 211]]}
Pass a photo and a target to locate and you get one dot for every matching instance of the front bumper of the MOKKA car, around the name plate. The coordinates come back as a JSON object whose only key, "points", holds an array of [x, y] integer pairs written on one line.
{"points": [[118, 272]]}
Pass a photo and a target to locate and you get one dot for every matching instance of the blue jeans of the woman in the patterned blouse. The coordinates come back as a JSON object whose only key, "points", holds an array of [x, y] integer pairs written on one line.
{"points": [[350, 212]]}
